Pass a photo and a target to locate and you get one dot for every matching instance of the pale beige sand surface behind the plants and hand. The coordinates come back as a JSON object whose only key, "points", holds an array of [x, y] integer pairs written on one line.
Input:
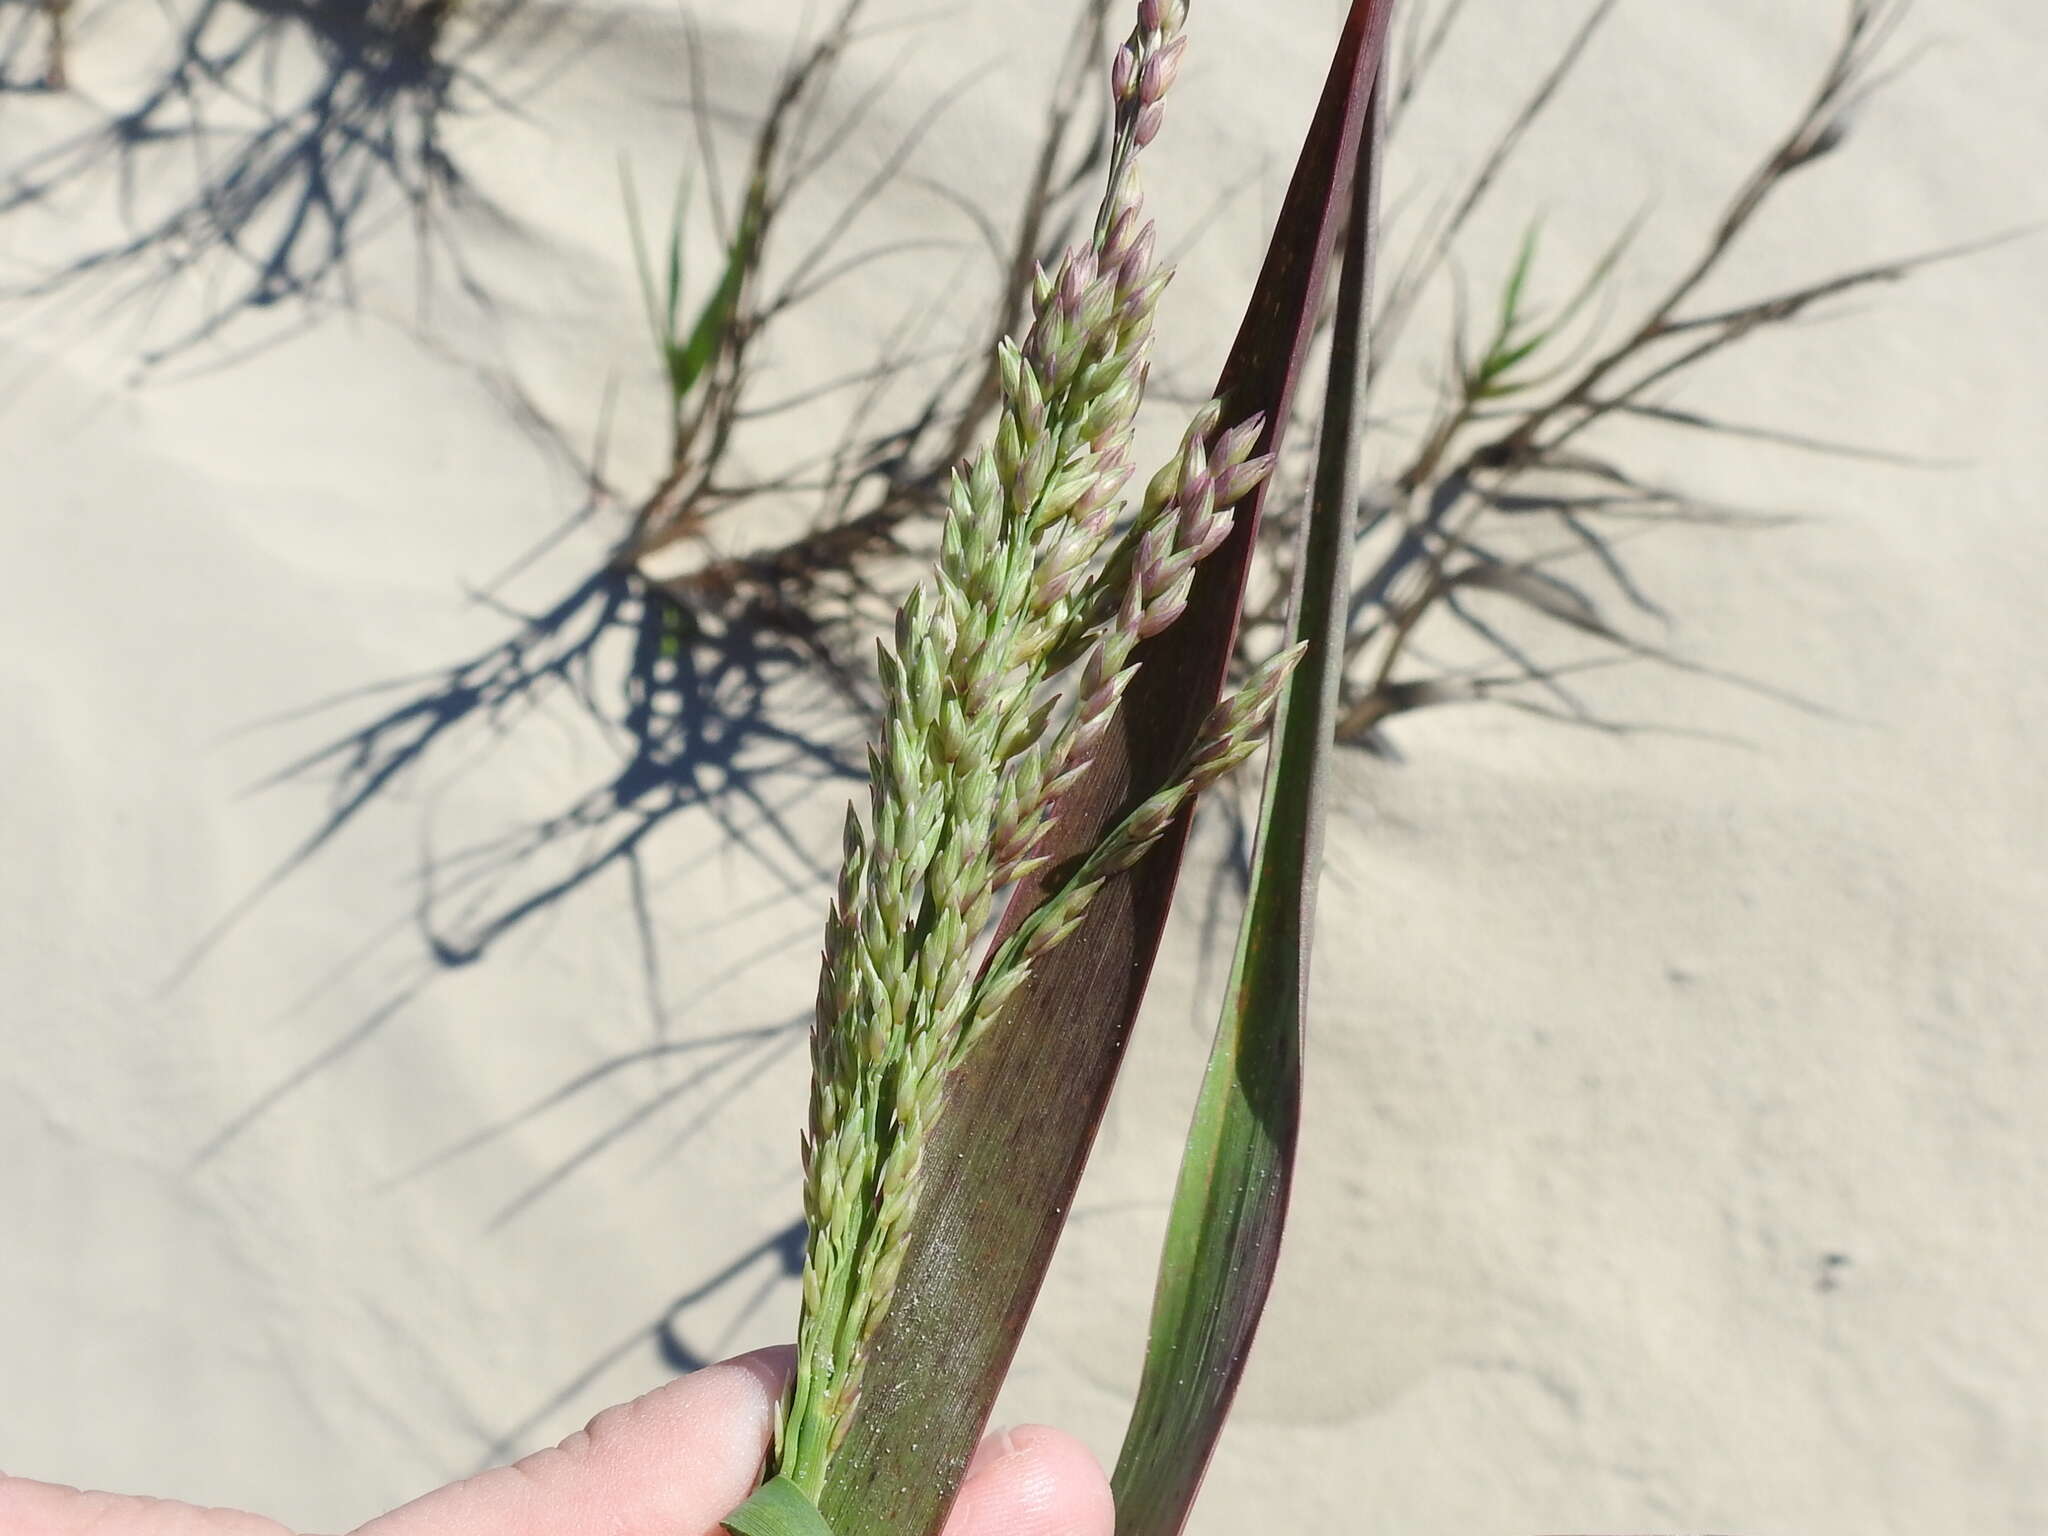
{"points": [[404, 988]]}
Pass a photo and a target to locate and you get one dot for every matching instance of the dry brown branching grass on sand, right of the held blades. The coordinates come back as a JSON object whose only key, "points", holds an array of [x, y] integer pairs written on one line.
{"points": [[1506, 437]]}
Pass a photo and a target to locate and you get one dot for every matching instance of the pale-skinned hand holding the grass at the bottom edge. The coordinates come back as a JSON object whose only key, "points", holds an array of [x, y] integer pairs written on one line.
{"points": [[665, 1465]]}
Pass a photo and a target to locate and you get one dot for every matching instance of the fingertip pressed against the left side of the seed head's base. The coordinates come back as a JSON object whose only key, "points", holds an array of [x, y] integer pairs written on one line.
{"points": [[665, 1465]]}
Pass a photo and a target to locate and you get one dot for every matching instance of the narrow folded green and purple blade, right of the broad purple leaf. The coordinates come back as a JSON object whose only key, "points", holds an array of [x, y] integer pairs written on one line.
{"points": [[1224, 1232]]}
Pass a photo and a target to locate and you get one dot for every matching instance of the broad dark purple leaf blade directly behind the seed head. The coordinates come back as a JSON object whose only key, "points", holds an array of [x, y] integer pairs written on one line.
{"points": [[1021, 1115]]}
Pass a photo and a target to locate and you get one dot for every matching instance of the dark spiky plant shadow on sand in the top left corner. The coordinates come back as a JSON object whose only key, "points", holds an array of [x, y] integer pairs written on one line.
{"points": [[269, 140]]}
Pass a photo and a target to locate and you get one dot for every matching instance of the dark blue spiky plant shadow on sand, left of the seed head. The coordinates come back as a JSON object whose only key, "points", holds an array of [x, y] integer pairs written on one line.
{"points": [[695, 714]]}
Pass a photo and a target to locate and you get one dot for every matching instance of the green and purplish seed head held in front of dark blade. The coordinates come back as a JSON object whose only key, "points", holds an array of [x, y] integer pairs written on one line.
{"points": [[1000, 687]]}
